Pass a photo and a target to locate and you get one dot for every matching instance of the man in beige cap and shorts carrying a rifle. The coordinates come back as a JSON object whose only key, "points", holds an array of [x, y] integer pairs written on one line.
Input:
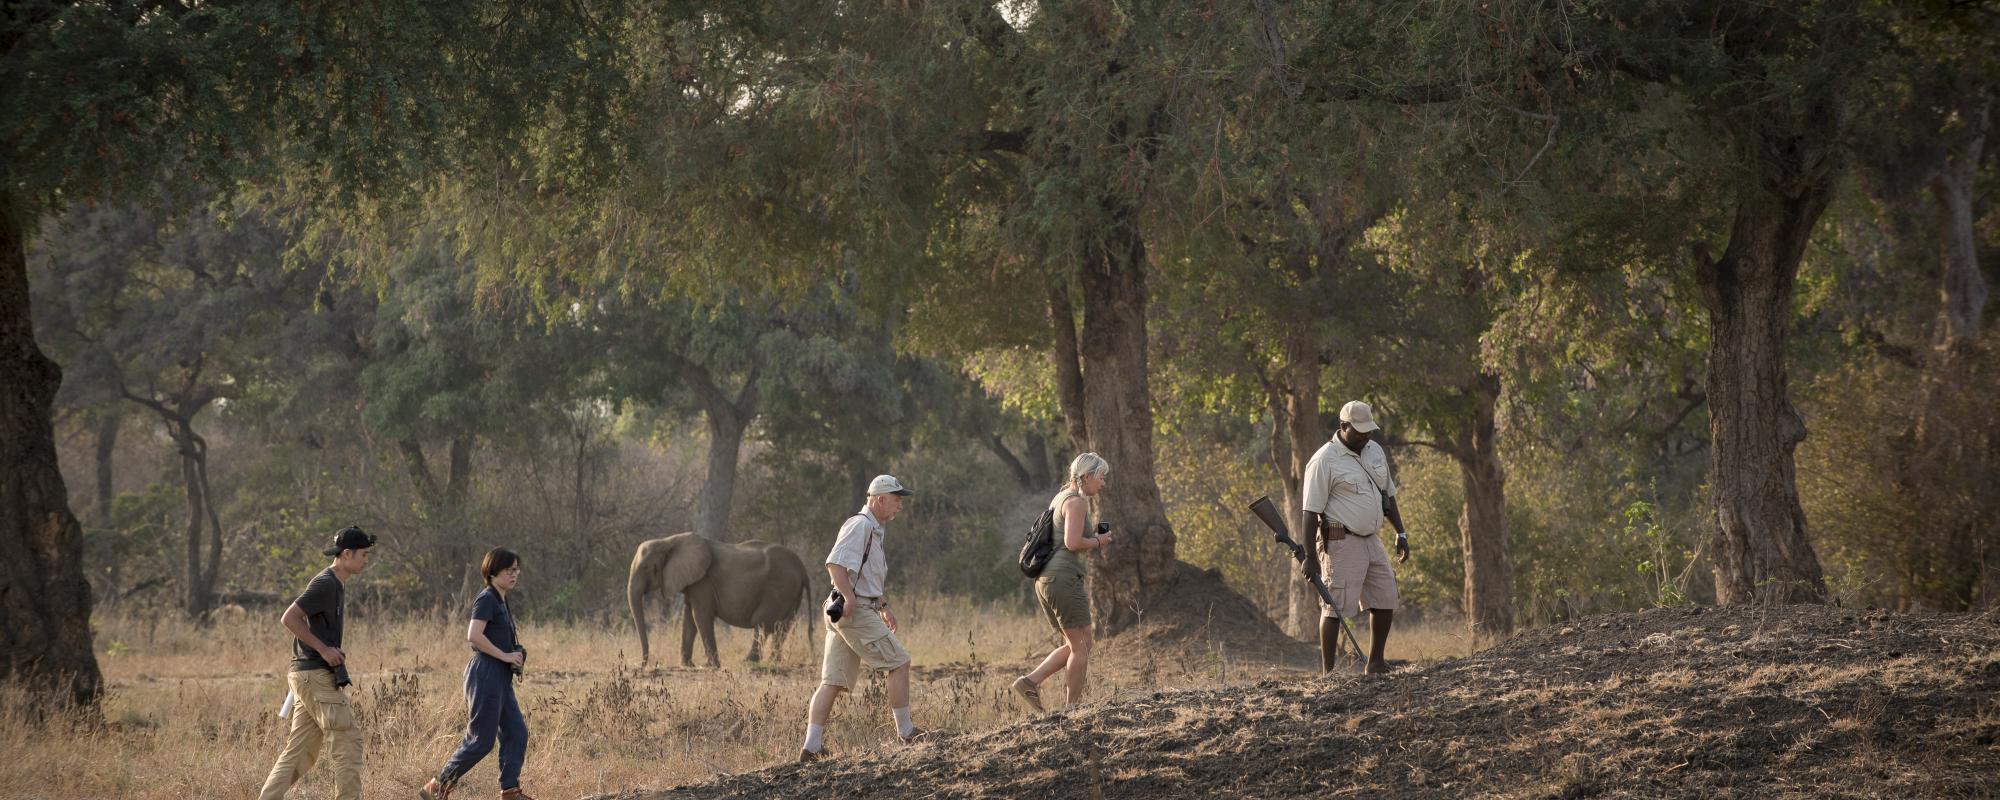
{"points": [[1349, 495]]}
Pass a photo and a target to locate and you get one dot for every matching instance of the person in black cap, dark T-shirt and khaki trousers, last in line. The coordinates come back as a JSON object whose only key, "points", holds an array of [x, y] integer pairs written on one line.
{"points": [[323, 711]]}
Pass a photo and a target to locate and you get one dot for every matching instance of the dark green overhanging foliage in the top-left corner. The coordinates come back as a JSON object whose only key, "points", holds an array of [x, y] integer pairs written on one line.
{"points": [[345, 101]]}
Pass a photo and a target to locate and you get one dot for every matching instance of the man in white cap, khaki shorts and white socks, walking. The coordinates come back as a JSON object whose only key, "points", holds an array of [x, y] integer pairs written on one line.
{"points": [[865, 631]]}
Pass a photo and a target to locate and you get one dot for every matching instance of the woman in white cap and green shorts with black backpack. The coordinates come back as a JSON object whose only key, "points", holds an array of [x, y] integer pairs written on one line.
{"points": [[1061, 585]]}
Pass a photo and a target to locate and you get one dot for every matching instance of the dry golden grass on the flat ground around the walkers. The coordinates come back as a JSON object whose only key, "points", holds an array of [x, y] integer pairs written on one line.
{"points": [[193, 713]]}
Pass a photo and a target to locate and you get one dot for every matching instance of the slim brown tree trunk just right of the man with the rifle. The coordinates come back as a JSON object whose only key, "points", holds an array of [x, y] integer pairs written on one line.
{"points": [[1483, 523]]}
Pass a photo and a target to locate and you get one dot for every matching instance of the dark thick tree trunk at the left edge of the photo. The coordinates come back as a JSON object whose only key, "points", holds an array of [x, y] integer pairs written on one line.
{"points": [[45, 601]]}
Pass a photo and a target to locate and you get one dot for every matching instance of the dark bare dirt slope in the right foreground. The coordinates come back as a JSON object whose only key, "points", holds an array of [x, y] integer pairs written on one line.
{"points": [[1699, 703]]}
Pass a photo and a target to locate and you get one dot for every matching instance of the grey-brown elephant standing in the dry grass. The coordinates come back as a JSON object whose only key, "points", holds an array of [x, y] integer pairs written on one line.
{"points": [[753, 585]]}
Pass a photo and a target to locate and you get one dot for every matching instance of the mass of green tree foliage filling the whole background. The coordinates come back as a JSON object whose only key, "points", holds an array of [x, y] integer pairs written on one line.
{"points": [[565, 231]]}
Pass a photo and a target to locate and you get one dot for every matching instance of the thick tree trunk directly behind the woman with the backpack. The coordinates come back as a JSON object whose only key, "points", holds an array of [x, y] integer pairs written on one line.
{"points": [[1119, 413]]}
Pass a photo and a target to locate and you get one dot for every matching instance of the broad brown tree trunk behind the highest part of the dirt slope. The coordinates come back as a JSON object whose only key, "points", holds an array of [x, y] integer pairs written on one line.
{"points": [[1761, 549]]}
